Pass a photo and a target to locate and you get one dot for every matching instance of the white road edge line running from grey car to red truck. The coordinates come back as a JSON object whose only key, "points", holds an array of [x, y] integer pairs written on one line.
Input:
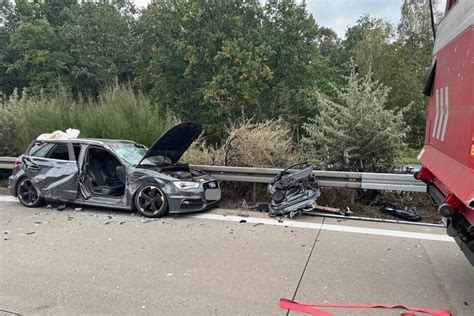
{"points": [[338, 228]]}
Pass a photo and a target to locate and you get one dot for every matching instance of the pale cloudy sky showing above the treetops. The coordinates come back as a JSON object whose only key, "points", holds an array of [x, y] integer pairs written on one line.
{"points": [[340, 14]]}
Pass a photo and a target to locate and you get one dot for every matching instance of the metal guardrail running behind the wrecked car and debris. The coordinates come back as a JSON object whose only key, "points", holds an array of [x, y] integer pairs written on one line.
{"points": [[335, 179]]}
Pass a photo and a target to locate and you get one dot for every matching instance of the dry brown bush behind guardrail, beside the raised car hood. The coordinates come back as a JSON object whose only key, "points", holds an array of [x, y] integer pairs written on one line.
{"points": [[247, 144]]}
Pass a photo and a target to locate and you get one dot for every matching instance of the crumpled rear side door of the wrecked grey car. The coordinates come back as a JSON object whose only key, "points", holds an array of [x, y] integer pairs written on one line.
{"points": [[56, 174]]}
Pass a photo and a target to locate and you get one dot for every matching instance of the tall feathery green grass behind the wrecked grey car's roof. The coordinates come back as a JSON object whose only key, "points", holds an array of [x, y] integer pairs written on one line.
{"points": [[117, 113]]}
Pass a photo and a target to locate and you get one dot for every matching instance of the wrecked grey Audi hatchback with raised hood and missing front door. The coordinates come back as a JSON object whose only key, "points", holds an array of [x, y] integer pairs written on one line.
{"points": [[115, 173]]}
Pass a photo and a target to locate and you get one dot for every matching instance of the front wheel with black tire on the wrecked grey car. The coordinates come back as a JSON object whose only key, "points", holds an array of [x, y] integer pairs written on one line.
{"points": [[151, 201]]}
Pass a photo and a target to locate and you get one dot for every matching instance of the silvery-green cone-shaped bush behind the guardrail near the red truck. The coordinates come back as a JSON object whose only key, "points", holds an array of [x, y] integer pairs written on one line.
{"points": [[357, 132]]}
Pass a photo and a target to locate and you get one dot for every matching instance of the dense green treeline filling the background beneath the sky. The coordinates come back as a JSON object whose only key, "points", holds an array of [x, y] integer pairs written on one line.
{"points": [[215, 62]]}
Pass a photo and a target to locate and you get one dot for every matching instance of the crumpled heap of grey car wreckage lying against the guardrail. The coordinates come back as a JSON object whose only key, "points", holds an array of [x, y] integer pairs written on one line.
{"points": [[294, 192]]}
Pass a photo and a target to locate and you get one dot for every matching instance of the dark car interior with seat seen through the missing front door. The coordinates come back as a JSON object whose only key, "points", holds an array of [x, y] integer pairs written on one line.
{"points": [[101, 173]]}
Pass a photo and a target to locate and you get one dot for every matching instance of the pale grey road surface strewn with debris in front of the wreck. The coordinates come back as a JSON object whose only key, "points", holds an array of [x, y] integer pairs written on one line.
{"points": [[112, 262]]}
